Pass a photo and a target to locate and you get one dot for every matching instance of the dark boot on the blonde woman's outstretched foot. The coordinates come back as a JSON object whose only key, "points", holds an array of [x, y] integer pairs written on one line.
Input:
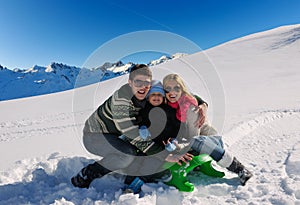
{"points": [[243, 173]]}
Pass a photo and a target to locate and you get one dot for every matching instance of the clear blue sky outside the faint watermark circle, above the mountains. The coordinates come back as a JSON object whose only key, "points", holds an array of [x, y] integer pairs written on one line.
{"points": [[38, 32]]}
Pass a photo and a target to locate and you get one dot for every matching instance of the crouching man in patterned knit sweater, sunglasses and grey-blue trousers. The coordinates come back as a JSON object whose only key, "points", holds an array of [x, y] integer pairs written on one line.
{"points": [[118, 115]]}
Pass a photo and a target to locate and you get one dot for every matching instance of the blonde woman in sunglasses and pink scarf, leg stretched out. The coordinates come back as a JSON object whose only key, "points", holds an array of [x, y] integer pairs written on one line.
{"points": [[203, 140]]}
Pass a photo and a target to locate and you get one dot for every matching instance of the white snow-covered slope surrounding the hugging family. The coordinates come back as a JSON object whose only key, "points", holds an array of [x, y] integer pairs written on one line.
{"points": [[252, 90]]}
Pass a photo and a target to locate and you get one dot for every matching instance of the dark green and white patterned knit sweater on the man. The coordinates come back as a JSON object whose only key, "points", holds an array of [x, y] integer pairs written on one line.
{"points": [[119, 115]]}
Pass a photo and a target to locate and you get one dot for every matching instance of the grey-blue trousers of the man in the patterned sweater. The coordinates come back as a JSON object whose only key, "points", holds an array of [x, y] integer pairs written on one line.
{"points": [[121, 155]]}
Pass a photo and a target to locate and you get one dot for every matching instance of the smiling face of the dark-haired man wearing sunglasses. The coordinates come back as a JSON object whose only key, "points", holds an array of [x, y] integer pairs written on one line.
{"points": [[140, 86]]}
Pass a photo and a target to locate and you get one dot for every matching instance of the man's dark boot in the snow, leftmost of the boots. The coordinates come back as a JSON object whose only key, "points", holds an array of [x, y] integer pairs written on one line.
{"points": [[86, 175]]}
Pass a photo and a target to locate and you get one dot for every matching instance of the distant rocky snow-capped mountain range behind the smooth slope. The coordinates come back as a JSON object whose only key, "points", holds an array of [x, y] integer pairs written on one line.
{"points": [[58, 77]]}
